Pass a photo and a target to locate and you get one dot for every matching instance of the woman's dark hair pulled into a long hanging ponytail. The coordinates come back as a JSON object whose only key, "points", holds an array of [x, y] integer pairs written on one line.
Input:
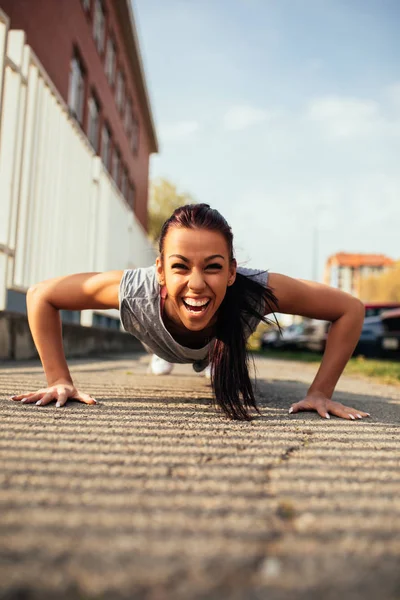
{"points": [[233, 391]]}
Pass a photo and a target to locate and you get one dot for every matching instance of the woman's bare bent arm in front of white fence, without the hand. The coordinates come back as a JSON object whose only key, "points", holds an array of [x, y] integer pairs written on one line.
{"points": [[72, 292]]}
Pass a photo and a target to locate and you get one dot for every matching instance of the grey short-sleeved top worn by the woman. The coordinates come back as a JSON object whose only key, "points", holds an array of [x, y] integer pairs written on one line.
{"points": [[140, 313]]}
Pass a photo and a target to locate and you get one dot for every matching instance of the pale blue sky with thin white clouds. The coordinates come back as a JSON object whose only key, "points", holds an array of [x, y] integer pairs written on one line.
{"points": [[285, 116]]}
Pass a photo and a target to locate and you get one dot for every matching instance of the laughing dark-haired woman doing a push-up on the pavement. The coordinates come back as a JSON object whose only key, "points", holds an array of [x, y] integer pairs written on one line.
{"points": [[195, 306]]}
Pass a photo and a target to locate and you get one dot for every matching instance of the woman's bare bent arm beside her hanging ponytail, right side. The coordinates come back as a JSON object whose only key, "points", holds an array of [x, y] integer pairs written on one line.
{"points": [[318, 301]]}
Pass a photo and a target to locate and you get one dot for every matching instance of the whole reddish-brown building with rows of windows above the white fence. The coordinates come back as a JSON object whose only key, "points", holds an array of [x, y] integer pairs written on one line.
{"points": [[90, 51]]}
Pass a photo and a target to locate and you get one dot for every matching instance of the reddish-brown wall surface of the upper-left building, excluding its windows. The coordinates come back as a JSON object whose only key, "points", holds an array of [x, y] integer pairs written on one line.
{"points": [[54, 28]]}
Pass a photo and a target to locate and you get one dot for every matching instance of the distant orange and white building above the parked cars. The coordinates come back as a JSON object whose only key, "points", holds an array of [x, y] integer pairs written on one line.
{"points": [[344, 270]]}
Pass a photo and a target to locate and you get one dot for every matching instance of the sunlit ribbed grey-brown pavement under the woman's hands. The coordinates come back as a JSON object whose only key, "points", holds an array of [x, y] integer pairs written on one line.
{"points": [[153, 495]]}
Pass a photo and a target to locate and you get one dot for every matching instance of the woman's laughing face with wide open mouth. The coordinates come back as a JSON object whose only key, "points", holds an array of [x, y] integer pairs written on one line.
{"points": [[196, 270]]}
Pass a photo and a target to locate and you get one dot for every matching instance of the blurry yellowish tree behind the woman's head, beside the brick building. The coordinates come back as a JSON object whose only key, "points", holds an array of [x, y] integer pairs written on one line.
{"points": [[164, 199]]}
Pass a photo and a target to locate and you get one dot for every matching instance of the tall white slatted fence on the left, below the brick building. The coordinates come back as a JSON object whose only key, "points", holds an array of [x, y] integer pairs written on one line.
{"points": [[60, 210]]}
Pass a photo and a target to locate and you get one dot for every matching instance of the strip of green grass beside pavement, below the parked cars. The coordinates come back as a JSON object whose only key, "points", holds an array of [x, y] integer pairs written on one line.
{"points": [[381, 370]]}
